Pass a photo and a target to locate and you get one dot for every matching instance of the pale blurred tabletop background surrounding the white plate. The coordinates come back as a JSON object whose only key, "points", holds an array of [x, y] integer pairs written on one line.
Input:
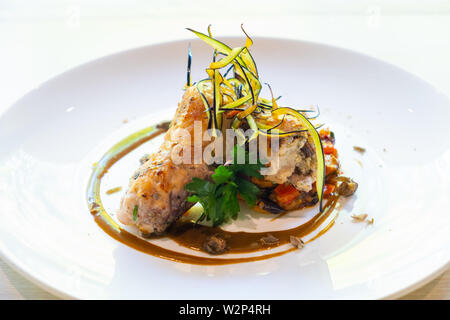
{"points": [[43, 38]]}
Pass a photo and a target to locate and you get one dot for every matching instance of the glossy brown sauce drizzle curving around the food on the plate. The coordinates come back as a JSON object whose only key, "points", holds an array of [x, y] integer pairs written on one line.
{"points": [[189, 234]]}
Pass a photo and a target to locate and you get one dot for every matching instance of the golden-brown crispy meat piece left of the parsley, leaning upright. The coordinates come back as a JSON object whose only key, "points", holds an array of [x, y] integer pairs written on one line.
{"points": [[157, 187]]}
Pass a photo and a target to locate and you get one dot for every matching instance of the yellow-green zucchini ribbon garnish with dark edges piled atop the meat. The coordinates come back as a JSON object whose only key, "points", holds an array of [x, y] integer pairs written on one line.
{"points": [[239, 93]]}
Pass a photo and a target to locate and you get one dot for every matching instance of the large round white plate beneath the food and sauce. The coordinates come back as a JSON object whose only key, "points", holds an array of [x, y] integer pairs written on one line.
{"points": [[50, 138]]}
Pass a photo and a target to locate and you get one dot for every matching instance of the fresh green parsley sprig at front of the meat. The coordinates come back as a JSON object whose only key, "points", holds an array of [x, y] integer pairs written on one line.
{"points": [[219, 196]]}
